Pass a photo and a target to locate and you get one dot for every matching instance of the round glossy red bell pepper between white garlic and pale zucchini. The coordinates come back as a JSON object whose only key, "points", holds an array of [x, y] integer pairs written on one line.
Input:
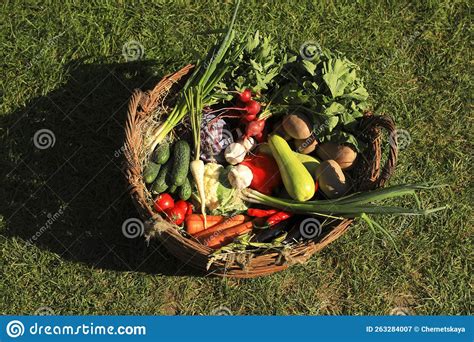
{"points": [[266, 175]]}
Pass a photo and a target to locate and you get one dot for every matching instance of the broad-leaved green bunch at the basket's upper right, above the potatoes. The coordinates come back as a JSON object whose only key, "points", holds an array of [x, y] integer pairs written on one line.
{"points": [[328, 88]]}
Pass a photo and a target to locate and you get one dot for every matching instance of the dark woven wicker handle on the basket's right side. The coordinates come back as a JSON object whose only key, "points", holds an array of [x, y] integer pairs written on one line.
{"points": [[374, 124]]}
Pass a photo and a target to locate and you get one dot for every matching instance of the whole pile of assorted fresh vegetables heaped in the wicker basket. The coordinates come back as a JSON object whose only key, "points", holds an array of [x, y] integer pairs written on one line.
{"points": [[271, 138]]}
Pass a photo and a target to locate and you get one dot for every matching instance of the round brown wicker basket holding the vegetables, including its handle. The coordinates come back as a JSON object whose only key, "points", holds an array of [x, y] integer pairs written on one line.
{"points": [[144, 105]]}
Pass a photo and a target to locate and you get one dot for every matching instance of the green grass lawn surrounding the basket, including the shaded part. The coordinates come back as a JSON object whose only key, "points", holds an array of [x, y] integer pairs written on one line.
{"points": [[62, 69]]}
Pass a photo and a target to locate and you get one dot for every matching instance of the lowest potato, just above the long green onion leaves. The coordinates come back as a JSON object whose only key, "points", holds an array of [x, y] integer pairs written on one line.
{"points": [[331, 179]]}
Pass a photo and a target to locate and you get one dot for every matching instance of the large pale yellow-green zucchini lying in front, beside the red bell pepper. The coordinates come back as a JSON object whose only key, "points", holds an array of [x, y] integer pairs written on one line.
{"points": [[297, 180]]}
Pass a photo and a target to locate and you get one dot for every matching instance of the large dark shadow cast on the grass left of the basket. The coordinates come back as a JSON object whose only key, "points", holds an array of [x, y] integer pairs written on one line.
{"points": [[81, 173]]}
